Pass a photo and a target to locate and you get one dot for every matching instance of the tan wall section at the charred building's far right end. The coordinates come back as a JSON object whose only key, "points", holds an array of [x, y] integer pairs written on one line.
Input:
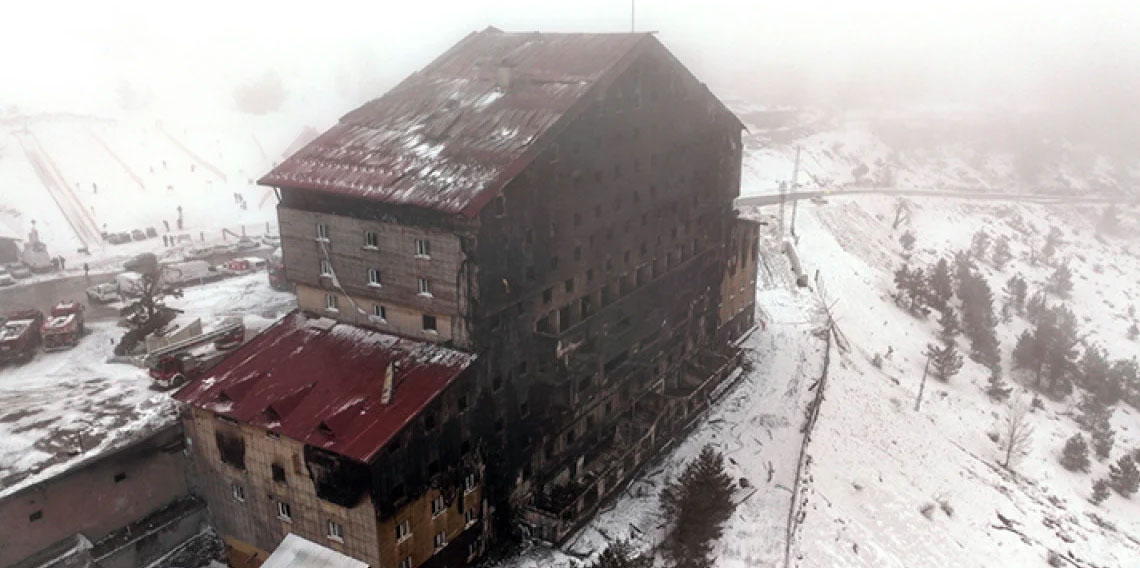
{"points": [[738, 291]]}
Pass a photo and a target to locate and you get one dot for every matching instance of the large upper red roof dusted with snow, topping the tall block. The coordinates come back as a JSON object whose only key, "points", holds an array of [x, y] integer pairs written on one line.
{"points": [[450, 136]]}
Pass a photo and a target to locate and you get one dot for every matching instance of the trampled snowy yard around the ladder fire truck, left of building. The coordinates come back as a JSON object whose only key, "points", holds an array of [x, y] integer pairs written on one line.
{"points": [[66, 407]]}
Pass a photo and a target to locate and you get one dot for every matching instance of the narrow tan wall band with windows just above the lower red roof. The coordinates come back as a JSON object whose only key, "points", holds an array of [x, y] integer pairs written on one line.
{"points": [[401, 321]]}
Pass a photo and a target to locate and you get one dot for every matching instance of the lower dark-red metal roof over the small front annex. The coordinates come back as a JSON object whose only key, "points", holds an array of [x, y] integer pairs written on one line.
{"points": [[322, 383]]}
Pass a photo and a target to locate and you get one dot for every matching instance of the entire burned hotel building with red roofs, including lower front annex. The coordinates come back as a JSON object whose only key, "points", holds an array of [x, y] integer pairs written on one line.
{"points": [[519, 273]]}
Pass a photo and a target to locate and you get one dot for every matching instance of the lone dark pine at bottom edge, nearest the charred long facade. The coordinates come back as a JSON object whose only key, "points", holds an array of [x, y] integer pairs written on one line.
{"points": [[698, 502]]}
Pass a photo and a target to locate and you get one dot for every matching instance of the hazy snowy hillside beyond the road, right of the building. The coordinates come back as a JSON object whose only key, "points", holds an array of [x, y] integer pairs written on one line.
{"points": [[948, 150]]}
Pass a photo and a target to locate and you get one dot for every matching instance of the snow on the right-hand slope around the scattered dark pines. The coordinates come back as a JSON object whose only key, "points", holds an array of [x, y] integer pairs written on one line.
{"points": [[877, 461]]}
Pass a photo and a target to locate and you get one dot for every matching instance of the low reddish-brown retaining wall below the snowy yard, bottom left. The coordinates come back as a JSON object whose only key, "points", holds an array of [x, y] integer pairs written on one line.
{"points": [[88, 500]]}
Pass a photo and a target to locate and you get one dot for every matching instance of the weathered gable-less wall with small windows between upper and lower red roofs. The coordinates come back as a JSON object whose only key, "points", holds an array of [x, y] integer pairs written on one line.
{"points": [[395, 256]]}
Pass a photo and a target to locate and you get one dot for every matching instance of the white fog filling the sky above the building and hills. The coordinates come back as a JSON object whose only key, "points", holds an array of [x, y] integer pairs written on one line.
{"points": [[1079, 62]]}
